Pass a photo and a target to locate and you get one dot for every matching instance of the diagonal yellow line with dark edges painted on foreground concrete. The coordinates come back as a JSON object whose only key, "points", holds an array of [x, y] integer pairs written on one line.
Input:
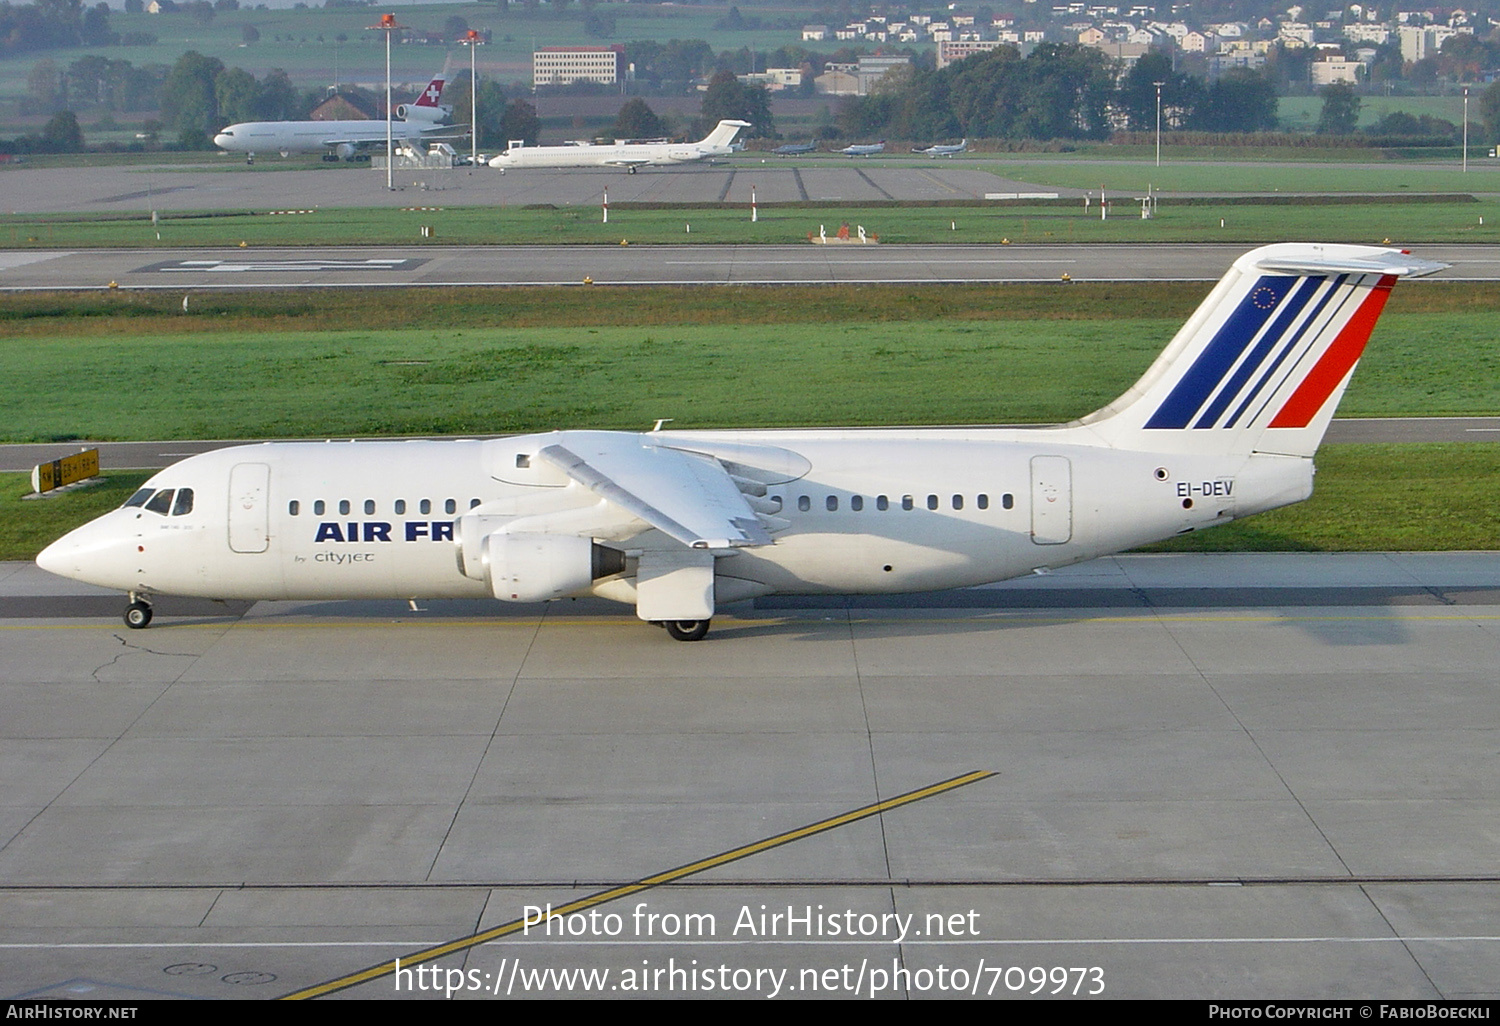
{"points": [[593, 901]]}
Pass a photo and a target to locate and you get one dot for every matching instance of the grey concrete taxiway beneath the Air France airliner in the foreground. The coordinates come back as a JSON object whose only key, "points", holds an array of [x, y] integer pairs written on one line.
{"points": [[1243, 776]]}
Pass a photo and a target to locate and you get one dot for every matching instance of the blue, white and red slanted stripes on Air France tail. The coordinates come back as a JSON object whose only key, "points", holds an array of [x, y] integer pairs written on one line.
{"points": [[1286, 329]]}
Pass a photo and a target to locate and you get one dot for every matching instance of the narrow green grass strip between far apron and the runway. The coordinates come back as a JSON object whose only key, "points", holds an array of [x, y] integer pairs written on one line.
{"points": [[1460, 220]]}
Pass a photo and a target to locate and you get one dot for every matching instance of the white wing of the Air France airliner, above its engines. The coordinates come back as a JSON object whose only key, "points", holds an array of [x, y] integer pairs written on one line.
{"points": [[686, 496]]}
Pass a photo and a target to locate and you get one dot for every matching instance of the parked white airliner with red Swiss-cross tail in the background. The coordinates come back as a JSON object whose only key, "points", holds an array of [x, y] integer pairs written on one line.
{"points": [[341, 140]]}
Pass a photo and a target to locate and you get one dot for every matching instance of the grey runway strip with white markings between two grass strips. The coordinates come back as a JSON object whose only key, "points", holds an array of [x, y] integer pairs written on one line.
{"points": [[800, 265]]}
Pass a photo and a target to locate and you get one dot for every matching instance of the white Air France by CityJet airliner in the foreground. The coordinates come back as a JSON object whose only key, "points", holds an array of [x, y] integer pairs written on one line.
{"points": [[1223, 425]]}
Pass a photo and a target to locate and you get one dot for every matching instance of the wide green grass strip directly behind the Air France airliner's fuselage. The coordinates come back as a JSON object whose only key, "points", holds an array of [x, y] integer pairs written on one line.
{"points": [[466, 362]]}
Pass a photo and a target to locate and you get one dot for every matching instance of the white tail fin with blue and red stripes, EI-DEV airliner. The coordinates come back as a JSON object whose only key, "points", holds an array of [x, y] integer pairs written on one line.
{"points": [[1265, 359]]}
